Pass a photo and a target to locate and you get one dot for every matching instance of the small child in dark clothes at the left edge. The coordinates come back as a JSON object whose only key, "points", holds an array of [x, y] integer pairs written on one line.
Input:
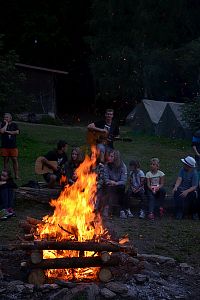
{"points": [[7, 186]]}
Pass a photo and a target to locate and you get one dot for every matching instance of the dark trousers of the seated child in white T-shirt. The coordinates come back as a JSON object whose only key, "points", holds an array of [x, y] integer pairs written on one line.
{"points": [[155, 200]]}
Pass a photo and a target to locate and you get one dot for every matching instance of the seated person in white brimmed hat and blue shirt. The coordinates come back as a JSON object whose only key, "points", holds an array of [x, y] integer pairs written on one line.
{"points": [[185, 189]]}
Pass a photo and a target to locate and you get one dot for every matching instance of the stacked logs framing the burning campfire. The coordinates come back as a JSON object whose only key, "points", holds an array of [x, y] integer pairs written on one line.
{"points": [[107, 254]]}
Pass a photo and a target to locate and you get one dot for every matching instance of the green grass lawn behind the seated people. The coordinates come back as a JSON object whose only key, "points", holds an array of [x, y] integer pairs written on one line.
{"points": [[35, 140]]}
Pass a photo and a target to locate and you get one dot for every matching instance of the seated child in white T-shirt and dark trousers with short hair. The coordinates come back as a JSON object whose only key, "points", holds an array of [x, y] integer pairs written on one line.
{"points": [[155, 191]]}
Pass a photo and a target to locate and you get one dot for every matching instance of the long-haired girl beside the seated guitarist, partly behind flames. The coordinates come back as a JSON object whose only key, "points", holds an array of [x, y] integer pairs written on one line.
{"points": [[77, 157]]}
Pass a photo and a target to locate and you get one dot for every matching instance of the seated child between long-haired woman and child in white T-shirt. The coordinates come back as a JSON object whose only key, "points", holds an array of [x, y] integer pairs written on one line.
{"points": [[136, 185]]}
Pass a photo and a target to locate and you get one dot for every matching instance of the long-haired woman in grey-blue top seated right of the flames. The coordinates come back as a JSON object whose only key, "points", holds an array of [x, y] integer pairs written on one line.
{"points": [[115, 172]]}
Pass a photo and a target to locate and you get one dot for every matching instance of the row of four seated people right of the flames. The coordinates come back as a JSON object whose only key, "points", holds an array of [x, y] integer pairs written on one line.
{"points": [[120, 186]]}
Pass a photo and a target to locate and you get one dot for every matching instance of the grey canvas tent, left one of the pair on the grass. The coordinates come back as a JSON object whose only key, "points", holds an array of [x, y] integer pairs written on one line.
{"points": [[146, 115]]}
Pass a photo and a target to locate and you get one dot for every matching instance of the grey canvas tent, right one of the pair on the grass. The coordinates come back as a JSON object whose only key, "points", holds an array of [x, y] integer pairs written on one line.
{"points": [[171, 123]]}
